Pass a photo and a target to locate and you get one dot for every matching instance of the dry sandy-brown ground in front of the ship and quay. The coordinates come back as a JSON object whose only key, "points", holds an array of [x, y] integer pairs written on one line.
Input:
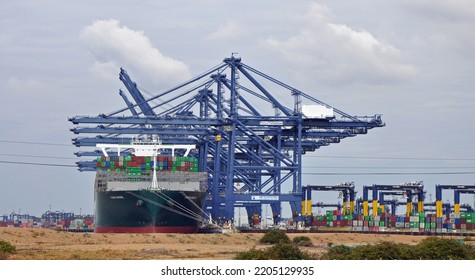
{"points": [[44, 244]]}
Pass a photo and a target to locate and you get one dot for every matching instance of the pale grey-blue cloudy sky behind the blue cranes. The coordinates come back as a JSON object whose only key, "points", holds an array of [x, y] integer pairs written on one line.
{"points": [[411, 61]]}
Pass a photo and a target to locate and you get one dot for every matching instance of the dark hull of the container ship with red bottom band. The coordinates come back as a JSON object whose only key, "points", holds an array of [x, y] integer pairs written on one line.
{"points": [[148, 211]]}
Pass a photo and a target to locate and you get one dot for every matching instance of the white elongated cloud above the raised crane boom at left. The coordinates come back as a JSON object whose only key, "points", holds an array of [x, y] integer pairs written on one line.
{"points": [[115, 46]]}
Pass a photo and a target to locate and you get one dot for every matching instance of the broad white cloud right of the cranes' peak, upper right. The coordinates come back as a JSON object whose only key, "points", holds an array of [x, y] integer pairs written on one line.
{"points": [[336, 53]]}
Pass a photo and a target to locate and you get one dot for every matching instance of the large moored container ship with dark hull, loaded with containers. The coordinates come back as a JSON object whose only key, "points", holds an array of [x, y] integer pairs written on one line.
{"points": [[146, 191]]}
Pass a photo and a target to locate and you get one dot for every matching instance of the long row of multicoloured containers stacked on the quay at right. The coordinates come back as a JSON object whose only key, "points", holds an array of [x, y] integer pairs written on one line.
{"points": [[415, 222]]}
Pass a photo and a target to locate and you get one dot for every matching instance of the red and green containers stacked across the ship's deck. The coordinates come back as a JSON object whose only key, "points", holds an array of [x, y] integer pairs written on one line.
{"points": [[135, 166]]}
